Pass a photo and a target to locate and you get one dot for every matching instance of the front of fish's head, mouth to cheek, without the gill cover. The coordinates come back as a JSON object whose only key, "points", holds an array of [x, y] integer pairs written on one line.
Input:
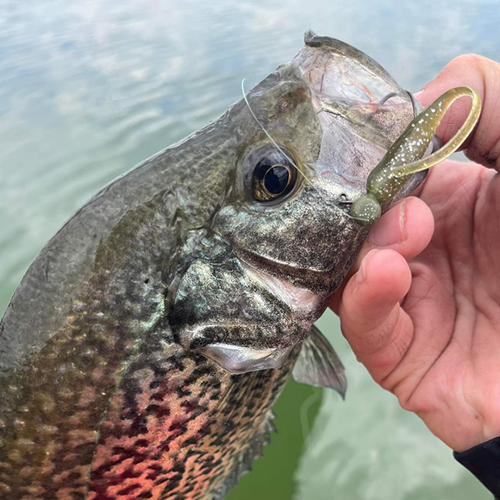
{"points": [[329, 121]]}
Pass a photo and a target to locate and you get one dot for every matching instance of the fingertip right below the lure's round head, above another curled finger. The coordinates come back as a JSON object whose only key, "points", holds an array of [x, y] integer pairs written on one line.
{"points": [[406, 228]]}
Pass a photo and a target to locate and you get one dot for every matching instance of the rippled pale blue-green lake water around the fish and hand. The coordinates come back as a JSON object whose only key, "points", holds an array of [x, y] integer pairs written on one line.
{"points": [[89, 88]]}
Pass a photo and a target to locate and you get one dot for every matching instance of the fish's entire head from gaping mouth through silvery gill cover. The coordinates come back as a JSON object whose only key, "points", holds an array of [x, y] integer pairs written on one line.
{"points": [[306, 139]]}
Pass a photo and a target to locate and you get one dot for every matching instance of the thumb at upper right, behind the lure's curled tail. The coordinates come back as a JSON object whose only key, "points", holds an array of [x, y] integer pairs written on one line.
{"points": [[483, 75]]}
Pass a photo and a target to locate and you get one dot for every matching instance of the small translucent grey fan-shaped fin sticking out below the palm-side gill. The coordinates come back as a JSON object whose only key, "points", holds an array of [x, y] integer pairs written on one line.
{"points": [[319, 365]]}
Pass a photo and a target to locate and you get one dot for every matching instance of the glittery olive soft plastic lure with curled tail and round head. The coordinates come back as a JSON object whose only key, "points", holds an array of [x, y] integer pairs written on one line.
{"points": [[406, 156]]}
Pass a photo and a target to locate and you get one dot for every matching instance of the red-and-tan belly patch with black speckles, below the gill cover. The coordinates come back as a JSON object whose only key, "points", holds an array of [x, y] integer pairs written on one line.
{"points": [[184, 445]]}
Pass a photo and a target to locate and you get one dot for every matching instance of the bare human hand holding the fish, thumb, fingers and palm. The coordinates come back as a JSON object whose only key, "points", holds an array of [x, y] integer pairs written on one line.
{"points": [[421, 309]]}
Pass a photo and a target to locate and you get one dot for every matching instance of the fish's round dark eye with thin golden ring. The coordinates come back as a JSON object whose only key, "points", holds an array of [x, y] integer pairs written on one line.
{"points": [[273, 177]]}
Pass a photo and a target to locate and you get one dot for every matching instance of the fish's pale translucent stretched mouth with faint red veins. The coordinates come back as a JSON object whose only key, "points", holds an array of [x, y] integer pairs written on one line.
{"points": [[350, 86]]}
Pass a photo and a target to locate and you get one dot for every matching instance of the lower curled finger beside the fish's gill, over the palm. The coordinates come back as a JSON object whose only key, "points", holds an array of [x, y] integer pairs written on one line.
{"points": [[374, 324]]}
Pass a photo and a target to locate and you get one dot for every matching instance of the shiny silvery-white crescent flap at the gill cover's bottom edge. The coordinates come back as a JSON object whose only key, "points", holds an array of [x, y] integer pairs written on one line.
{"points": [[238, 360]]}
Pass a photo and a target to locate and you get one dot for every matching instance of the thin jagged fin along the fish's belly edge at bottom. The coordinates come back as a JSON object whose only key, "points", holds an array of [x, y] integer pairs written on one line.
{"points": [[244, 463]]}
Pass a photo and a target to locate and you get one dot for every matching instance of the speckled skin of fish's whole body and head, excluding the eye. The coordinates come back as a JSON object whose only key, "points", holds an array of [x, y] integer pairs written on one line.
{"points": [[107, 383]]}
